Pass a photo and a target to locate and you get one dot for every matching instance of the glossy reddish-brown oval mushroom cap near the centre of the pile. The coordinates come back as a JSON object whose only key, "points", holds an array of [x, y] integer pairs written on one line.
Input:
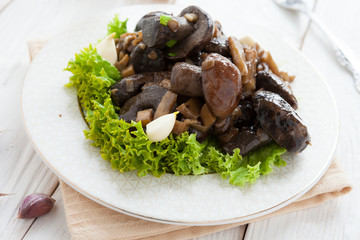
{"points": [[221, 84]]}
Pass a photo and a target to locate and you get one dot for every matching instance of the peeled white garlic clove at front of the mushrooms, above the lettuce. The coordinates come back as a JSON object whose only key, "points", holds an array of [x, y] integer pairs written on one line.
{"points": [[161, 127]]}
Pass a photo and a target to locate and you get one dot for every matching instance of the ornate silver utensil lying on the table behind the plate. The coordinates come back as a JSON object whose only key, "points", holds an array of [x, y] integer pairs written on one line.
{"points": [[344, 59]]}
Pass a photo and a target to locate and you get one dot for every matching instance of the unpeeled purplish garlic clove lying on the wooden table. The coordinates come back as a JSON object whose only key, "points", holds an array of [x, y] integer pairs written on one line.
{"points": [[35, 205]]}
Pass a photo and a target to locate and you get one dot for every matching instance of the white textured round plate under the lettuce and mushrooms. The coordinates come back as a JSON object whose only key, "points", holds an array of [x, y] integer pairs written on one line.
{"points": [[55, 126]]}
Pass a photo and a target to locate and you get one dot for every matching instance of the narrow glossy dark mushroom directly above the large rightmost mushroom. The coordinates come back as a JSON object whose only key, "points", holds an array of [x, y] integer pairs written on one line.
{"points": [[270, 82]]}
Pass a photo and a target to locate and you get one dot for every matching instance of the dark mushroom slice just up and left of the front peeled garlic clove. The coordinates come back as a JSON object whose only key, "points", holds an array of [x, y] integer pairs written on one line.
{"points": [[150, 97]]}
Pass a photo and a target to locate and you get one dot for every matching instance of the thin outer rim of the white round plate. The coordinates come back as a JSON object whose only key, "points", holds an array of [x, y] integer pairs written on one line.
{"points": [[187, 223]]}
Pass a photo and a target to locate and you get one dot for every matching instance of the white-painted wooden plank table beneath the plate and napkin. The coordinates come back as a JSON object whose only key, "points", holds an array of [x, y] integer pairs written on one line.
{"points": [[22, 171]]}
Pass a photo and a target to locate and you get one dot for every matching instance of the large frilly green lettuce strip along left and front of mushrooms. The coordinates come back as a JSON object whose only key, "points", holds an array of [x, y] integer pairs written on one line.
{"points": [[127, 148]]}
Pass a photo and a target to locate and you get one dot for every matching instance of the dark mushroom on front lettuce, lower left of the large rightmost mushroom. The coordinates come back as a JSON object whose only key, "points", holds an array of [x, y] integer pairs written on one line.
{"points": [[247, 140]]}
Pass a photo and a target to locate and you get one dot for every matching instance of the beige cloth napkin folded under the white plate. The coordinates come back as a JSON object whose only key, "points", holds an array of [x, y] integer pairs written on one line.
{"points": [[89, 220]]}
